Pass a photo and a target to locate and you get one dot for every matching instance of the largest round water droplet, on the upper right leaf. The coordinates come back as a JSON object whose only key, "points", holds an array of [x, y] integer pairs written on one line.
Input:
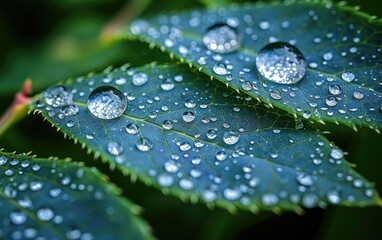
{"points": [[281, 62]]}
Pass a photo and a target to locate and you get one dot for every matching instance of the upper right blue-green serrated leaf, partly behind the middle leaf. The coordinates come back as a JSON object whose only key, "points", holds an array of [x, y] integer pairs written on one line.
{"points": [[334, 39]]}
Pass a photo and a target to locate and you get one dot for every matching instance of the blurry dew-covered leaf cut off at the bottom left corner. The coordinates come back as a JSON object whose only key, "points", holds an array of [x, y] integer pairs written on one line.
{"points": [[59, 199]]}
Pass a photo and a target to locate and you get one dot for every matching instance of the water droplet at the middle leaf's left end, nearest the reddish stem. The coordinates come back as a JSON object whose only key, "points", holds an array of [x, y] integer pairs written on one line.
{"points": [[57, 96]]}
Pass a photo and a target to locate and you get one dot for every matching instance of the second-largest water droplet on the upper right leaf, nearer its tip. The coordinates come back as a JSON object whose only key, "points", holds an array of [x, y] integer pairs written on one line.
{"points": [[221, 38]]}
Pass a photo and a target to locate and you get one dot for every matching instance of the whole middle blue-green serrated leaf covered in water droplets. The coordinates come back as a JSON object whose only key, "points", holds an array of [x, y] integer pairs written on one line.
{"points": [[185, 134]]}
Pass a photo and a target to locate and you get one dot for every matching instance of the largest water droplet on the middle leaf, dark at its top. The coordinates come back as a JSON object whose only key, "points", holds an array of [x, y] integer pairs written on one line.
{"points": [[107, 102]]}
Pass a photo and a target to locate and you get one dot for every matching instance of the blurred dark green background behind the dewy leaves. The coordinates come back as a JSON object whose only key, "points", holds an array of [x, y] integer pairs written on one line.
{"points": [[53, 40]]}
